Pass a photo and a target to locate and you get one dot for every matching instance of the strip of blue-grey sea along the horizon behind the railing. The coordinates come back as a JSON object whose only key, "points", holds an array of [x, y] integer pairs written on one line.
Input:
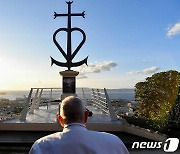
{"points": [[127, 94]]}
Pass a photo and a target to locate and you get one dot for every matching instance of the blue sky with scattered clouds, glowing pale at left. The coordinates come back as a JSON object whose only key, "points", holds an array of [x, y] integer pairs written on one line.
{"points": [[127, 41]]}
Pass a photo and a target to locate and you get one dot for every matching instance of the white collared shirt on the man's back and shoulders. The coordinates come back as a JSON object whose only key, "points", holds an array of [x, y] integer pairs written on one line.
{"points": [[76, 139]]}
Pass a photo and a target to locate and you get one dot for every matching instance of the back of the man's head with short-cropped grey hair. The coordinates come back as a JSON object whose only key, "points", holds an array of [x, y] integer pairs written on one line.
{"points": [[72, 110]]}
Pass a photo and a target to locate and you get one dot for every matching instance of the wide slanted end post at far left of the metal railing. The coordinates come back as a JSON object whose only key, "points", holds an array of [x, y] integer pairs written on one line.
{"points": [[26, 106]]}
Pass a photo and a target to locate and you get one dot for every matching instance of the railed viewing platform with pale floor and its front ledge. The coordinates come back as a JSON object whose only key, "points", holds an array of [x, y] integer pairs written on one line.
{"points": [[42, 107]]}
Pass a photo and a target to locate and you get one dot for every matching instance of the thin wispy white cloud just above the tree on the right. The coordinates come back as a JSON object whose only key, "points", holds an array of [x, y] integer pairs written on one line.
{"points": [[151, 70]]}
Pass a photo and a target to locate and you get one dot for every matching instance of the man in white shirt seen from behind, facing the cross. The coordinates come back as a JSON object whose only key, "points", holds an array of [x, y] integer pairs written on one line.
{"points": [[75, 138]]}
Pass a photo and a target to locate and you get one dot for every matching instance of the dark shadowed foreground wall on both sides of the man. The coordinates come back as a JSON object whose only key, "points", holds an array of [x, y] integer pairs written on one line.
{"points": [[20, 142]]}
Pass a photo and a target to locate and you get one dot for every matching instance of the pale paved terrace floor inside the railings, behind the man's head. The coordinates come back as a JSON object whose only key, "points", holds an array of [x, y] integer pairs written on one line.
{"points": [[44, 115]]}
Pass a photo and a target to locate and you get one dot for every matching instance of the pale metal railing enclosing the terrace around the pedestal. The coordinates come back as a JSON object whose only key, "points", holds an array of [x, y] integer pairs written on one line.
{"points": [[46, 96]]}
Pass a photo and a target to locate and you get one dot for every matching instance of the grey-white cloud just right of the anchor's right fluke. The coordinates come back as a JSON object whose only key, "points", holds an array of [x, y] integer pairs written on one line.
{"points": [[95, 68]]}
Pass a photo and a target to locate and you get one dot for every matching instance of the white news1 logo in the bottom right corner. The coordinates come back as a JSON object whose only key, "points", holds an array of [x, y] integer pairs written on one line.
{"points": [[170, 145]]}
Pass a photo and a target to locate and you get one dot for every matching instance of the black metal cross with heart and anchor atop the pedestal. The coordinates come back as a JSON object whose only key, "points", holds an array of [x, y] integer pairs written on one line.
{"points": [[69, 56]]}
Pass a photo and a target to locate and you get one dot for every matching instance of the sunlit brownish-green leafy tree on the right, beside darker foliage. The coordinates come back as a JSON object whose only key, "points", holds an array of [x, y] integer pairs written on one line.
{"points": [[157, 96]]}
